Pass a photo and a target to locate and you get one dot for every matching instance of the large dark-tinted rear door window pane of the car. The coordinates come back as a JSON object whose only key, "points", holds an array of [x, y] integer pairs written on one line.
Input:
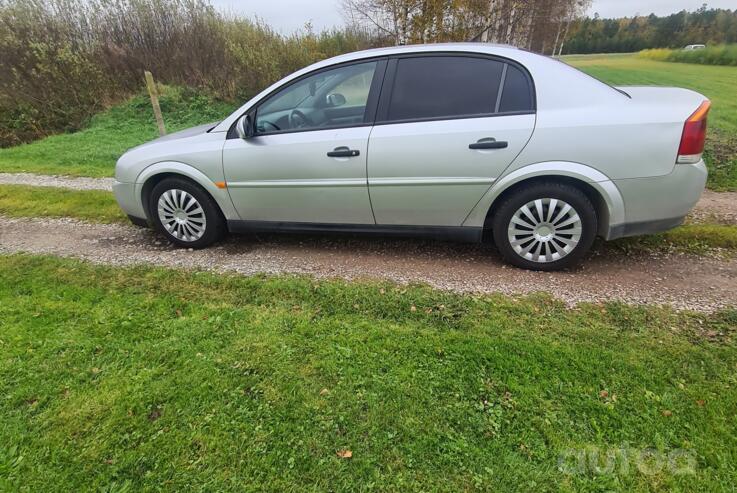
{"points": [[444, 87]]}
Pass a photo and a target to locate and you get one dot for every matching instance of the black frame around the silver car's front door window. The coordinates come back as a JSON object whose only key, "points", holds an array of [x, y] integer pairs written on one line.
{"points": [[371, 102]]}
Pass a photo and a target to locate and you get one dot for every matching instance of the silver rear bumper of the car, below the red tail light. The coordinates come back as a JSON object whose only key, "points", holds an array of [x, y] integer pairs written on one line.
{"points": [[659, 203]]}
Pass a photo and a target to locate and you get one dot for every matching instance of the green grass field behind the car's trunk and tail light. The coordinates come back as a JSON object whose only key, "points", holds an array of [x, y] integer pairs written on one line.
{"points": [[717, 83]]}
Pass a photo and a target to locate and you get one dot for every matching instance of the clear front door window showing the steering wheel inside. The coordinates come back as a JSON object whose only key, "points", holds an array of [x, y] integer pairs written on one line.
{"points": [[328, 99]]}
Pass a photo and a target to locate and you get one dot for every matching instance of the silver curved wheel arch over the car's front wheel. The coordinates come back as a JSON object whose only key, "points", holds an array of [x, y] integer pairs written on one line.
{"points": [[155, 173]]}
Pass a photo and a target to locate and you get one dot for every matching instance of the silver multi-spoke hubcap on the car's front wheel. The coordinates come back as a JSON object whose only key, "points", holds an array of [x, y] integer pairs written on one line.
{"points": [[181, 215]]}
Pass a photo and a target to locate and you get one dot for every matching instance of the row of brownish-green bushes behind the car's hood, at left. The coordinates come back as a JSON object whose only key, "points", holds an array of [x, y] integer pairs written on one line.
{"points": [[62, 61]]}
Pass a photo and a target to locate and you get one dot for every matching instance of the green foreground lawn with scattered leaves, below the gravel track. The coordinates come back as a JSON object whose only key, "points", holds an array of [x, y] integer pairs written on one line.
{"points": [[146, 379]]}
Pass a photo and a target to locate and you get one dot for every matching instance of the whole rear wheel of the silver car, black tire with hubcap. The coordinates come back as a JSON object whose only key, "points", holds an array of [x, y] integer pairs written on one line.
{"points": [[546, 242]]}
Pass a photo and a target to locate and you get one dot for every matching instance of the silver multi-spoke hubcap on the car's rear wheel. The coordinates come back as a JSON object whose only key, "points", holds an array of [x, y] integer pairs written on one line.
{"points": [[544, 230]]}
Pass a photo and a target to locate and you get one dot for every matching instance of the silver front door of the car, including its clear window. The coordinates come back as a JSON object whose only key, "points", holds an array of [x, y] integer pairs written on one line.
{"points": [[307, 160]]}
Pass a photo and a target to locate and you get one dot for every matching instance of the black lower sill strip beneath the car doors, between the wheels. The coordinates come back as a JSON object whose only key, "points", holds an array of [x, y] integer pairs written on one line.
{"points": [[448, 233]]}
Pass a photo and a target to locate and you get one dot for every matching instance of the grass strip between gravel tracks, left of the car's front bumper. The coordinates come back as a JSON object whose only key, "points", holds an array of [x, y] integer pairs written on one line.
{"points": [[88, 205]]}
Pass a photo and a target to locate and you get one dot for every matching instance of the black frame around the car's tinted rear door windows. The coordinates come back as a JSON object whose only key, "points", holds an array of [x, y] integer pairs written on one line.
{"points": [[390, 80]]}
